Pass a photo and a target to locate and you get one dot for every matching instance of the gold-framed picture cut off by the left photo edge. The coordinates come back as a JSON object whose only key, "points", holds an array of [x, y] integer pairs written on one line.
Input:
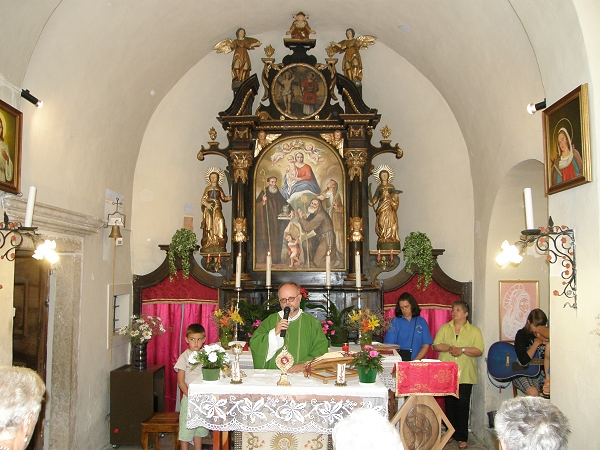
{"points": [[11, 129]]}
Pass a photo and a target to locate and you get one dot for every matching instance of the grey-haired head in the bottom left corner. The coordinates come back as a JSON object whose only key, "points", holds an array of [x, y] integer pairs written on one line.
{"points": [[21, 394]]}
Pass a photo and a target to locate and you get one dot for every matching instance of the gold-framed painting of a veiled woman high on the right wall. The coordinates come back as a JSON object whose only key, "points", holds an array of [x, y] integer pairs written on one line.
{"points": [[567, 158]]}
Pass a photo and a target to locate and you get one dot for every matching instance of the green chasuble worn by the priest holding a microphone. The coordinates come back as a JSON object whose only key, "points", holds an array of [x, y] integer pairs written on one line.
{"points": [[305, 340]]}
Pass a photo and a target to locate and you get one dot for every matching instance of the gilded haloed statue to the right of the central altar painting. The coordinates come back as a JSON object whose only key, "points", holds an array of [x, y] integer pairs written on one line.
{"points": [[387, 200]]}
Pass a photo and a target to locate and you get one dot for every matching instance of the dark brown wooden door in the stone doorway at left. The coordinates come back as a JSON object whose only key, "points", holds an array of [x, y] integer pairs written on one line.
{"points": [[30, 324]]}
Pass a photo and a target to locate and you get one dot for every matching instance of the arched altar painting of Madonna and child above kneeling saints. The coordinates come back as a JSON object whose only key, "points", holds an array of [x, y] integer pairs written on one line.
{"points": [[299, 211]]}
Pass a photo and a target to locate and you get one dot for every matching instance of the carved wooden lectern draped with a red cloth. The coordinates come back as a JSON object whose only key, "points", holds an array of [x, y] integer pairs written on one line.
{"points": [[420, 416]]}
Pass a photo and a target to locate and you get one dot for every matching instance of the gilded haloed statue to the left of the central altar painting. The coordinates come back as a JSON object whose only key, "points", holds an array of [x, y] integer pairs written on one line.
{"points": [[214, 237]]}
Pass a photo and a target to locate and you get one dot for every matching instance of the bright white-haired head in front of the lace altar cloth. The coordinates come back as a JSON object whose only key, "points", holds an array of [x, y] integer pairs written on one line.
{"points": [[365, 429]]}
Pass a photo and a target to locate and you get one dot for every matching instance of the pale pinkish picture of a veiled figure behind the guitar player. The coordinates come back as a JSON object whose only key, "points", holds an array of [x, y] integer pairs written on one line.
{"points": [[517, 299]]}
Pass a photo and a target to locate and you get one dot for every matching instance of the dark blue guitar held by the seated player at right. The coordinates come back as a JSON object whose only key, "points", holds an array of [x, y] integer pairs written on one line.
{"points": [[504, 365]]}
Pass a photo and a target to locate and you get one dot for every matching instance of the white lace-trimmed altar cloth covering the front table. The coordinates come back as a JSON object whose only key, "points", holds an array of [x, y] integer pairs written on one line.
{"points": [[259, 405]]}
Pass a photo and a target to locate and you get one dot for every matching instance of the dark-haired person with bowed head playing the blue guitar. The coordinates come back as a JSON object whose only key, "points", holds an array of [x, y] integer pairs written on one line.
{"points": [[529, 339]]}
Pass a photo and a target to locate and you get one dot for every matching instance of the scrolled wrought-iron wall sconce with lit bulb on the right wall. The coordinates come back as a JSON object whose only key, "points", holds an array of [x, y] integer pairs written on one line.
{"points": [[559, 244]]}
